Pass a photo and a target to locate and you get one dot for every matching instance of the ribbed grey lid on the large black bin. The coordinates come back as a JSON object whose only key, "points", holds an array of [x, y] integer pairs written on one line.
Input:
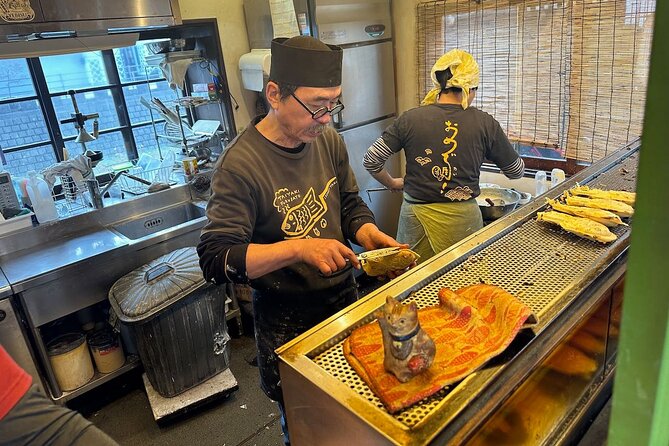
{"points": [[155, 286]]}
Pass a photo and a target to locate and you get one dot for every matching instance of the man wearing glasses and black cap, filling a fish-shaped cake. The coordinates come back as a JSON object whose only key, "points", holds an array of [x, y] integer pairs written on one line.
{"points": [[285, 205]]}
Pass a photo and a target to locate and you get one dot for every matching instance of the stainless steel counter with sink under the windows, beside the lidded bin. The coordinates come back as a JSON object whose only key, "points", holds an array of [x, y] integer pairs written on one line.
{"points": [[56, 269]]}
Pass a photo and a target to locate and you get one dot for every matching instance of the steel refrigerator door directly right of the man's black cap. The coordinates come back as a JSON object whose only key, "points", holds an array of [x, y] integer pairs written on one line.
{"points": [[368, 83]]}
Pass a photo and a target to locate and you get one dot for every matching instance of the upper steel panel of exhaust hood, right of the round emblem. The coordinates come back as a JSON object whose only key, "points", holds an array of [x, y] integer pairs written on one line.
{"points": [[68, 10]]}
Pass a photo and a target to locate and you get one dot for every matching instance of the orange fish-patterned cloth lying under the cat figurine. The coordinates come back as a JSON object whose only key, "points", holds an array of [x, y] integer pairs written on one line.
{"points": [[469, 327]]}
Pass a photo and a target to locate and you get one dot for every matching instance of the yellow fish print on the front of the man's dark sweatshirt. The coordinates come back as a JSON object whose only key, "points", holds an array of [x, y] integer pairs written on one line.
{"points": [[301, 219]]}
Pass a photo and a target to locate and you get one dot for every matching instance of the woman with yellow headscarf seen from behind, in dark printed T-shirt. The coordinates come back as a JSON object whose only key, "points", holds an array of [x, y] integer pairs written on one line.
{"points": [[445, 141]]}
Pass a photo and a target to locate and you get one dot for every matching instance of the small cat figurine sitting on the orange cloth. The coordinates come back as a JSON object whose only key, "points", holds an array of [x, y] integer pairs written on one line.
{"points": [[408, 350]]}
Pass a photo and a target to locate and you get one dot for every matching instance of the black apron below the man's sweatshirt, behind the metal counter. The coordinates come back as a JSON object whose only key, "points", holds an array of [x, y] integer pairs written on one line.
{"points": [[280, 318]]}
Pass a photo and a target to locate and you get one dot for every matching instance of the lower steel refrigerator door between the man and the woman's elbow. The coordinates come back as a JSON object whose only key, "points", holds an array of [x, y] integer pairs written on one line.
{"points": [[384, 204]]}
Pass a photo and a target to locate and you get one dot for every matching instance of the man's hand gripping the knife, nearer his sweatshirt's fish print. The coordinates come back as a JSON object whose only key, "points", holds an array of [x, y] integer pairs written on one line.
{"points": [[327, 255]]}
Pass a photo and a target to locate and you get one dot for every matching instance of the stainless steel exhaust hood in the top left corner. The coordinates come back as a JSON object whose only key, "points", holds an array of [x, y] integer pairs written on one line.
{"points": [[25, 20]]}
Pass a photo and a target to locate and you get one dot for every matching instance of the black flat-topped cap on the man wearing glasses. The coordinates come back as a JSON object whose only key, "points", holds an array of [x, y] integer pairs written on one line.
{"points": [[305, 62]]}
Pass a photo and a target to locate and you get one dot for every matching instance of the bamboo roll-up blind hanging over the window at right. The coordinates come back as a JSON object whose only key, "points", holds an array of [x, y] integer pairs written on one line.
{"points": [[570, 75]]}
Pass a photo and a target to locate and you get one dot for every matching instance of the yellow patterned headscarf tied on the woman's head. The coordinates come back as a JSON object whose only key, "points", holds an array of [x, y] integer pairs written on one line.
{"points": [[465, 72]]}
